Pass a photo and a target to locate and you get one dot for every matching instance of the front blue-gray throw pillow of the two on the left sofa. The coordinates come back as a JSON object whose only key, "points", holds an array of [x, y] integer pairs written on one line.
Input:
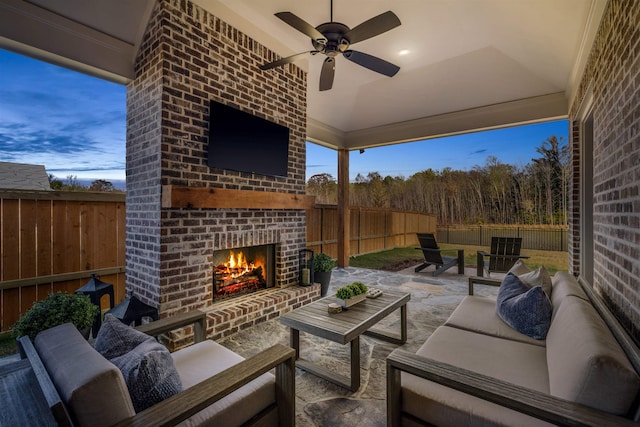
{"points": [[149, 373]]}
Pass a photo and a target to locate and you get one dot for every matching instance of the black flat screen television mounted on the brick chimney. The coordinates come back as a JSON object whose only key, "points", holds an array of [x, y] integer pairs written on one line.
{"points": [[243, 142]]}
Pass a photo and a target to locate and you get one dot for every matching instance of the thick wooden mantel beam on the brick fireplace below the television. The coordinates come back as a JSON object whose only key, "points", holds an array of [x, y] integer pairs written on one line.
{"points": [[205, 197]]}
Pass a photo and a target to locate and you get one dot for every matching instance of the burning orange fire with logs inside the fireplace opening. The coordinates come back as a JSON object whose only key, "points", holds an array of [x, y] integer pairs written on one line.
{"points": [[242, 270]]}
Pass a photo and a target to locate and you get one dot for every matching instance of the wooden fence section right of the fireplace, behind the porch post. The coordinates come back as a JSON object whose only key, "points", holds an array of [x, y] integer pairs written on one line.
{"points": [[371, 229]]}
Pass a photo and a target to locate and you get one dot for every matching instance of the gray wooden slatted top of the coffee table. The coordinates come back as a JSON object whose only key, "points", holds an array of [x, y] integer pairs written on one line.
{"points": [[343, 327]]}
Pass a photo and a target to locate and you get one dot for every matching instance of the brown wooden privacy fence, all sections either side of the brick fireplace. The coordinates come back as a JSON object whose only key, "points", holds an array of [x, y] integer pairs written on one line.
{"points": [[53, 241]]}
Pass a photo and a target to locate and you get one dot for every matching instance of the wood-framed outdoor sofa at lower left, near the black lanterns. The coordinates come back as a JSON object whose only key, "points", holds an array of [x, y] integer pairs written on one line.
{"points": [[83, 388]]}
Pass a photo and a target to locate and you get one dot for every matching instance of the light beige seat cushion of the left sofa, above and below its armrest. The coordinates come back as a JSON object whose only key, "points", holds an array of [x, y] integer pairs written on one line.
{"points": [[207, 358]]}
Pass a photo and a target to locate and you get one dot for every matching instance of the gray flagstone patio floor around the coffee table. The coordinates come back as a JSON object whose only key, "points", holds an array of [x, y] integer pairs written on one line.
{"points": [[320, 403]]}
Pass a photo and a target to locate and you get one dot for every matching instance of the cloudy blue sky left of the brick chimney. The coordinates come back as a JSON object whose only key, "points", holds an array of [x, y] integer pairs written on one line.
{"points": [[67, 121]]}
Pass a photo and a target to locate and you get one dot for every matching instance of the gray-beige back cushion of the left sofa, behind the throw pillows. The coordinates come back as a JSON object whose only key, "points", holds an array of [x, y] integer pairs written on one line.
{"points": [[83, 383]]}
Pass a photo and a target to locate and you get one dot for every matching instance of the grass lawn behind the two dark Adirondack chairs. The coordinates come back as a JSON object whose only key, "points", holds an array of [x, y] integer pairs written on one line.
{"points": [[386, 260]]}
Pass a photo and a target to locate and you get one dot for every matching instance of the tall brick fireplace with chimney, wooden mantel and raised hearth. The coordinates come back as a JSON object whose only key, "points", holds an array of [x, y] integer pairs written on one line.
{"points": [[179, 210]]}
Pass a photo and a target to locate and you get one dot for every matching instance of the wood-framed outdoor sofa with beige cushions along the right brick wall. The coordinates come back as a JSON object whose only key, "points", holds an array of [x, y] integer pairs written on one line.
{"points": [[477, 370]]}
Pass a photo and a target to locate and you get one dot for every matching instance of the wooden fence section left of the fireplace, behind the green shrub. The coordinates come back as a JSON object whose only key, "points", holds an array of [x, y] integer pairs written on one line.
{"points": [[52, 241]]}
